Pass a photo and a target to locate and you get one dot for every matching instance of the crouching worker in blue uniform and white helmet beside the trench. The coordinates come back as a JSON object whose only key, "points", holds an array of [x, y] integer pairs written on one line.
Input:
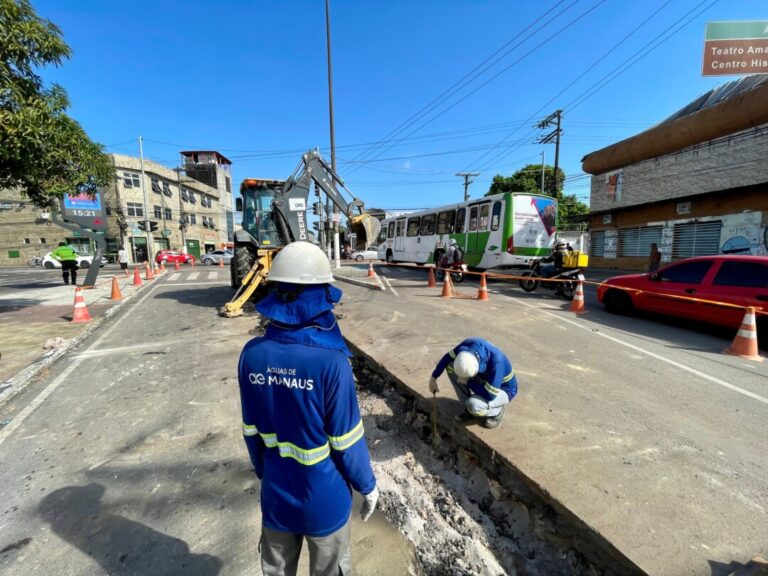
{"points": [[483, 378]]}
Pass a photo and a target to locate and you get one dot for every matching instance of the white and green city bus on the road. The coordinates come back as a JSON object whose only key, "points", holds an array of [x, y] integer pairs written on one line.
{"points": [[500, 231]]}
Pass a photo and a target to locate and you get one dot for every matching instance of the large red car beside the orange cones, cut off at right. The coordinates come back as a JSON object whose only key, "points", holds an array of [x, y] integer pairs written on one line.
{"points": [[697, 289]]}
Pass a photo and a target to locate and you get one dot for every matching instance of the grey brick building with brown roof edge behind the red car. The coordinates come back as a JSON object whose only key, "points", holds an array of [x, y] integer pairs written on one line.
{"points": [[709, 197]]}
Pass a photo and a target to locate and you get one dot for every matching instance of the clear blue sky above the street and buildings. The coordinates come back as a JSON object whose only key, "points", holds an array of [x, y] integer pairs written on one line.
{"points": [[462, 82]]}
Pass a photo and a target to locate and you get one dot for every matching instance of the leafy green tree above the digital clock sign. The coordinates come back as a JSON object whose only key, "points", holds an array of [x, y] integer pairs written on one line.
{"points": [[43, 152]]}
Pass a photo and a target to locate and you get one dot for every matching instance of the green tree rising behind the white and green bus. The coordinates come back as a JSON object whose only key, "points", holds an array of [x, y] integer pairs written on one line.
{"points": [[528, 180]]}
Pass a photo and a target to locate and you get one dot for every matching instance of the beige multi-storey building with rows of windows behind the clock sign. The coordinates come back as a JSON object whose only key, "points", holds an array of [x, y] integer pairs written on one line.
{"points": [[190, 215]]}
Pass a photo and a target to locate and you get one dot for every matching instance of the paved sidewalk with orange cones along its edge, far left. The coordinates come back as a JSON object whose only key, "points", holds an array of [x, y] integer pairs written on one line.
{"points": [[36, 326]]}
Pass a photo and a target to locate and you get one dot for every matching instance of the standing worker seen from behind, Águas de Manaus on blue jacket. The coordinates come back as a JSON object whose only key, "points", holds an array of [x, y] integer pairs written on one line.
{"points": [[301, 420]]}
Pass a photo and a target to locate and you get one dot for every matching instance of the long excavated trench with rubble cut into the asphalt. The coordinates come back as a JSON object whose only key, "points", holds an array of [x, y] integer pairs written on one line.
{"points": [[464, 509]]}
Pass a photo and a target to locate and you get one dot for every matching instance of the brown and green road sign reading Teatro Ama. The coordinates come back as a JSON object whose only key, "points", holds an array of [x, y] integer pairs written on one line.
{"points": [[736, 48]]}
